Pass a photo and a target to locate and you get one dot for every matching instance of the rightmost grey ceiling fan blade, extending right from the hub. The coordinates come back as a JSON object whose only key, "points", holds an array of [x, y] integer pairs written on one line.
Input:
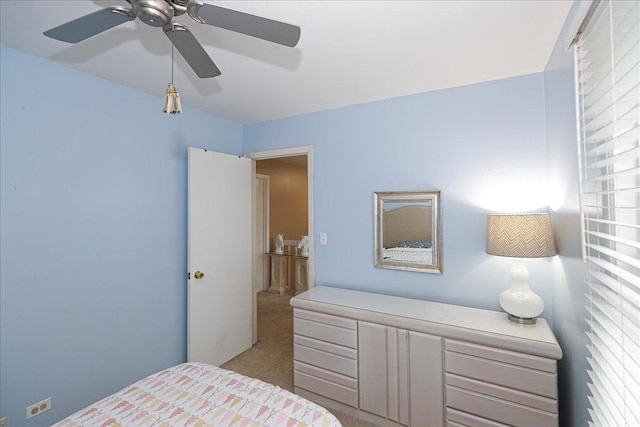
{"points": [[240, 22]]}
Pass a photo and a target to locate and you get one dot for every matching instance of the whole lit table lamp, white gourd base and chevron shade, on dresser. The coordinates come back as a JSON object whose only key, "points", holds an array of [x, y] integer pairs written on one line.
{"points": [[520, 236]]}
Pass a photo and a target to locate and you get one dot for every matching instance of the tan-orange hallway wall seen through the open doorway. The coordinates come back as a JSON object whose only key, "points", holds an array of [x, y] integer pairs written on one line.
{"points": [[288, 199]]}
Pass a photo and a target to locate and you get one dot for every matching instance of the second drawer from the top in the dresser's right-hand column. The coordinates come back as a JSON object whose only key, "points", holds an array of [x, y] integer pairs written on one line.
{"points": [[502, 374]]}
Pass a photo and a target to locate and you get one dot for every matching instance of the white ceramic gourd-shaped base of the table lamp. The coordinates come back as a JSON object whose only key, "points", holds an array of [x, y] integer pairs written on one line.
{"points": [[519, 301]]}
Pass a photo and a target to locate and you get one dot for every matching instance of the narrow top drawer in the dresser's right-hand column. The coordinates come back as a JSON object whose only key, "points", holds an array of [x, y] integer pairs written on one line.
{"points": [[499, 355]]}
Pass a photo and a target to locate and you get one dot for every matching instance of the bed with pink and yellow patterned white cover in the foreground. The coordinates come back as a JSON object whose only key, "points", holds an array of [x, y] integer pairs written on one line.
{"points": [[197, 394]]}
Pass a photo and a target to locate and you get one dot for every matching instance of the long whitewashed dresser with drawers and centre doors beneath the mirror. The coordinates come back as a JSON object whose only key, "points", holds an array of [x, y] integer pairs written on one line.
{"points": [[399, 361]]}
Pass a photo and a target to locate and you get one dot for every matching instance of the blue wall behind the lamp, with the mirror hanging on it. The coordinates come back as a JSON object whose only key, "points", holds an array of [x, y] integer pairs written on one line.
{"points": [[483, 146]]}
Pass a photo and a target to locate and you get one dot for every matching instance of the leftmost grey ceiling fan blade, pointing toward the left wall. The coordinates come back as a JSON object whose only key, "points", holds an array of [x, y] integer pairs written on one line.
{"points": [[90, 25]]}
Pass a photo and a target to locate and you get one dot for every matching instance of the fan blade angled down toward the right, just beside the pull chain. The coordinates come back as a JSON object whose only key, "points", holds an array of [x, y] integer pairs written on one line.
{"points": [[191, 50]]}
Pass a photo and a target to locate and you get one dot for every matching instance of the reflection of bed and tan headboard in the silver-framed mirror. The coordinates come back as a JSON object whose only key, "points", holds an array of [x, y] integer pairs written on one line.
{"points": [[407, 235]]}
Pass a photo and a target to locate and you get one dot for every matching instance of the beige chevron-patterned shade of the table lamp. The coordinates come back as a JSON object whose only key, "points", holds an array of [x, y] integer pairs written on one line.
{"points": [[520, 235]]}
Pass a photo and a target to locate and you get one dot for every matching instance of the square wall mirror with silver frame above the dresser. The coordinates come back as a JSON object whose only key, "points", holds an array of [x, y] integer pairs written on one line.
{"points": [[408, 231]]}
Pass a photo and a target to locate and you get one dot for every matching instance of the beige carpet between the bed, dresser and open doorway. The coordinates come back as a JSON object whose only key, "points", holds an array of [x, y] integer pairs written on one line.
{"points": [[271, 358]]}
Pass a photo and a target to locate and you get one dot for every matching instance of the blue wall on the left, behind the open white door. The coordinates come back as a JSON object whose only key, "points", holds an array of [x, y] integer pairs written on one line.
{"points": [[93, 224]]}
